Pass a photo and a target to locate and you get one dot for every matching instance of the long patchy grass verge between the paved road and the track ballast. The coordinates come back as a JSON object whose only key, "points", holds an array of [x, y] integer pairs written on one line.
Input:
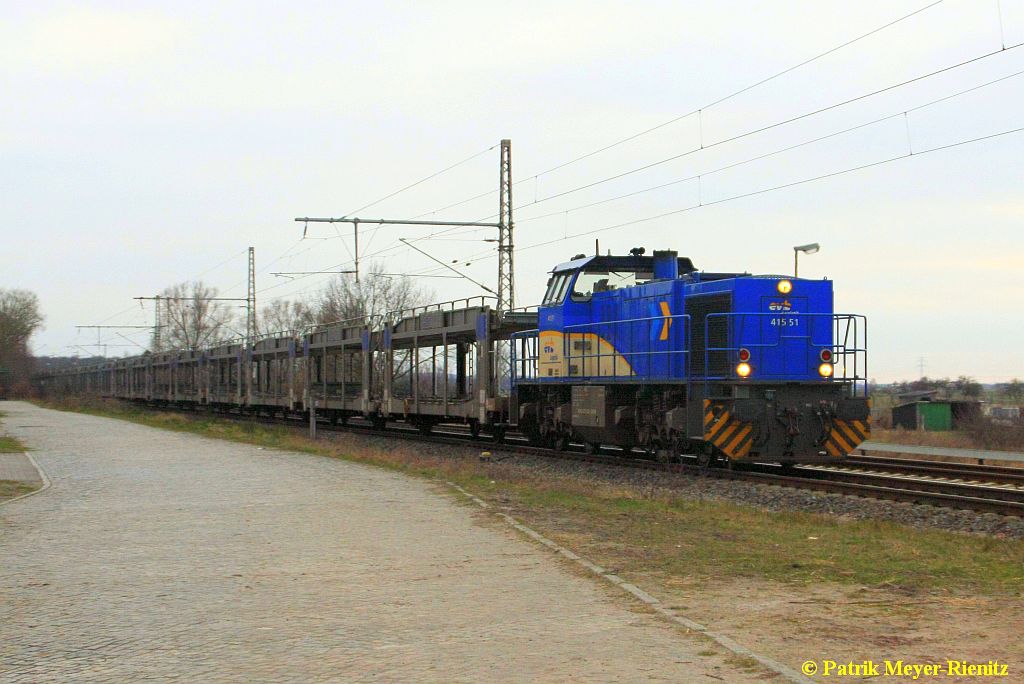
{"points": [[644, 534]]}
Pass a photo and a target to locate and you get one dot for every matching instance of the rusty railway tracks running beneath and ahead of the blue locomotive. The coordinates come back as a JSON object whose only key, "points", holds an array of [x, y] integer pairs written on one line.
{"points": [[982, 489]]}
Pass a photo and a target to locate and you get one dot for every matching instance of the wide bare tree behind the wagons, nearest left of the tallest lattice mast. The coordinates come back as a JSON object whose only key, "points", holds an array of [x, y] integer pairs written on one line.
{"points": [[372, 297]]}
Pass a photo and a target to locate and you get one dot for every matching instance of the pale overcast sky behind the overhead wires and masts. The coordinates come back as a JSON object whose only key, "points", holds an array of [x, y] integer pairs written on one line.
{"points": [[149, 144]]}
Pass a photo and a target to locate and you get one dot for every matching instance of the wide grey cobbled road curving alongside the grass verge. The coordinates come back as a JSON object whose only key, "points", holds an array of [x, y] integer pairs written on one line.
{"points": [[166, 557]]}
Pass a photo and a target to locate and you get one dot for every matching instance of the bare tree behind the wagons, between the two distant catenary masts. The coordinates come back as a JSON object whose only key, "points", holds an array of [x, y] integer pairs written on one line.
{"points": [[193, 320]]}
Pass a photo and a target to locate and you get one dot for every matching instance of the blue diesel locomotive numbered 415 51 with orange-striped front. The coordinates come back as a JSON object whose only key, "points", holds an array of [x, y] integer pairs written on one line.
{"points": [[648, 353]]}
